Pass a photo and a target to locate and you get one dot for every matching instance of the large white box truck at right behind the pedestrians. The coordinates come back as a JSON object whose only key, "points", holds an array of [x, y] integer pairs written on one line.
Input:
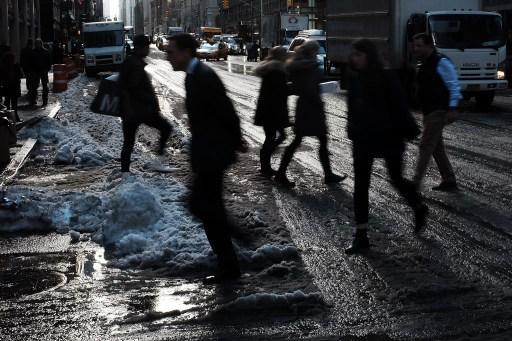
{"points": [[472, 39]]}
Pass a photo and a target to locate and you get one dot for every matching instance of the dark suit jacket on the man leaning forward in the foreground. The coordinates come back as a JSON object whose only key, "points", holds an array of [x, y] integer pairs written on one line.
{"points": [[214, 124]]}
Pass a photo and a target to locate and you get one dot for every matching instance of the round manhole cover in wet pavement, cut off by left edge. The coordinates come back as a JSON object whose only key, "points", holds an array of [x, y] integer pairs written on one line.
{"points": [[28, 281]]}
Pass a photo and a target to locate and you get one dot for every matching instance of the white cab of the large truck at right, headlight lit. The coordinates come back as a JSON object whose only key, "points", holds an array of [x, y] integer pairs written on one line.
{"points": [[475, 43]]}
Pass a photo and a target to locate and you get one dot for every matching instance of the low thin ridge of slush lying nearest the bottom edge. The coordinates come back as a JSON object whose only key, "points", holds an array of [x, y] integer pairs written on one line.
{"points": [[295, 302]]}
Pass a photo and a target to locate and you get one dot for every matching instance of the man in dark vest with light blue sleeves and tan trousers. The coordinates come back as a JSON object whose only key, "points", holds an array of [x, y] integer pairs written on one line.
{"points": [[439, 95]]}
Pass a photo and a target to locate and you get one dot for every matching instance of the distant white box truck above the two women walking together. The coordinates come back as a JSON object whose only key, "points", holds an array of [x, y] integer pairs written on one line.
{"points": [[281, 28]]}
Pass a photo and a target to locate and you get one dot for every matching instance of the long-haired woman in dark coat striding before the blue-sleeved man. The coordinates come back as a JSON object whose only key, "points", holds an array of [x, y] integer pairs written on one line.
{"points": [[378, 125]]}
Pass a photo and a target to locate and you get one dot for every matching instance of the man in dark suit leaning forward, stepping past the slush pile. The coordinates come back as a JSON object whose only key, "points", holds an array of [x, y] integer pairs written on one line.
{"points": [[216, 138]]}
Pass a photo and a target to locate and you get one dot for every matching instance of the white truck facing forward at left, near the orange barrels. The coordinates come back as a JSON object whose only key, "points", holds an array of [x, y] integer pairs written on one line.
{"points": [[104, 46]]}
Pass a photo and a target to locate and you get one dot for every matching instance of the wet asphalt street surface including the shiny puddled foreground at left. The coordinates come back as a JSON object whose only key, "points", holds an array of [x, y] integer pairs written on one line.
{"points": [[453, 283]]}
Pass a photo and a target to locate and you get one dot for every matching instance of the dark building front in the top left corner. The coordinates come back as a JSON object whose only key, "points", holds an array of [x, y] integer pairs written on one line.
{"points": [[19, 21]]}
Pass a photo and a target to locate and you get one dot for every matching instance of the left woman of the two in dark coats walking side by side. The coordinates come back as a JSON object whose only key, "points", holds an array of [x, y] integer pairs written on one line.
{"points": [[272, 108]]}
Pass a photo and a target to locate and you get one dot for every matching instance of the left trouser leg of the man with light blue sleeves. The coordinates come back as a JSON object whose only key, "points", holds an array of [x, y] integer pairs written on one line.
{"points": [[433, 125]]}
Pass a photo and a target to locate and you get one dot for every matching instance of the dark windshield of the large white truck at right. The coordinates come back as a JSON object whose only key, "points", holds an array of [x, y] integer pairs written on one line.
{"points": [[467, 31]]}
